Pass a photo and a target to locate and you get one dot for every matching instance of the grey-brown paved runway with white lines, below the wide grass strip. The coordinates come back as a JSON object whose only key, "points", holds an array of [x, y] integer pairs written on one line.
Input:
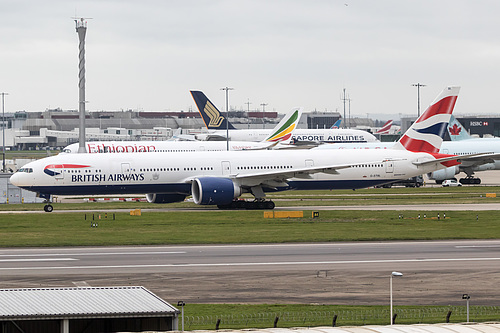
{"points": [[331, 273]]}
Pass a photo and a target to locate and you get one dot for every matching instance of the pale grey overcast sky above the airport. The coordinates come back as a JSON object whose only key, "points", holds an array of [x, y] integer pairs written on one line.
{"points": [[148, 54]]}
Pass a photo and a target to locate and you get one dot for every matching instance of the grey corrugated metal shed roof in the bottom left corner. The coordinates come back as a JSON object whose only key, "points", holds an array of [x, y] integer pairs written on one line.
{"points": [[81, 302]]}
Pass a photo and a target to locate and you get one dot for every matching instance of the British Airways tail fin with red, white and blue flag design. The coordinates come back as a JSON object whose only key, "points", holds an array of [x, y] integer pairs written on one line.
{"points": [[426, 134]]}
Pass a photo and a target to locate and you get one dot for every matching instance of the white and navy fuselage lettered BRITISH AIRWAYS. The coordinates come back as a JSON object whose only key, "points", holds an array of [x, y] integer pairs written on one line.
{"points": [[133, 173]]}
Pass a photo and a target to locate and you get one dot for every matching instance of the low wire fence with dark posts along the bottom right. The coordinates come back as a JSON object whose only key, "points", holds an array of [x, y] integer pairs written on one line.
{"points": [[345, 317]]}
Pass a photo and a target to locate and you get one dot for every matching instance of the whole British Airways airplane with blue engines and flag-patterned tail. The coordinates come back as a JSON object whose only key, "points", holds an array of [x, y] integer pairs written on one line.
{"points": [[219, 178]]}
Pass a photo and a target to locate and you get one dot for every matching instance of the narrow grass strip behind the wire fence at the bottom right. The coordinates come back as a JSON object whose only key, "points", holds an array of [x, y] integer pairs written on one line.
{"points": [[238, 316]]}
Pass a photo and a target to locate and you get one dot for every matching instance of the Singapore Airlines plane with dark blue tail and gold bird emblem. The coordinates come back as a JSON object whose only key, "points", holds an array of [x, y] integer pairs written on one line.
{"points": [[216, 124]]}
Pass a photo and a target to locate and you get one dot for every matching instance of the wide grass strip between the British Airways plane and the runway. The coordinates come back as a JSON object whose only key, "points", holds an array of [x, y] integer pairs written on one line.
{"points": [[95, 228]]}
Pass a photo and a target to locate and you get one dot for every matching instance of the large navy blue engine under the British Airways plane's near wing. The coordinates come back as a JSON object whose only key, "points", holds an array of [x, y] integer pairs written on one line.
{"points": [[214, 191]]}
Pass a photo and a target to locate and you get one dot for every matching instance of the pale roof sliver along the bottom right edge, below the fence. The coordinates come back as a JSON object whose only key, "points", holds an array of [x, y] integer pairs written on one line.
{"points": [[420, 328]]}
